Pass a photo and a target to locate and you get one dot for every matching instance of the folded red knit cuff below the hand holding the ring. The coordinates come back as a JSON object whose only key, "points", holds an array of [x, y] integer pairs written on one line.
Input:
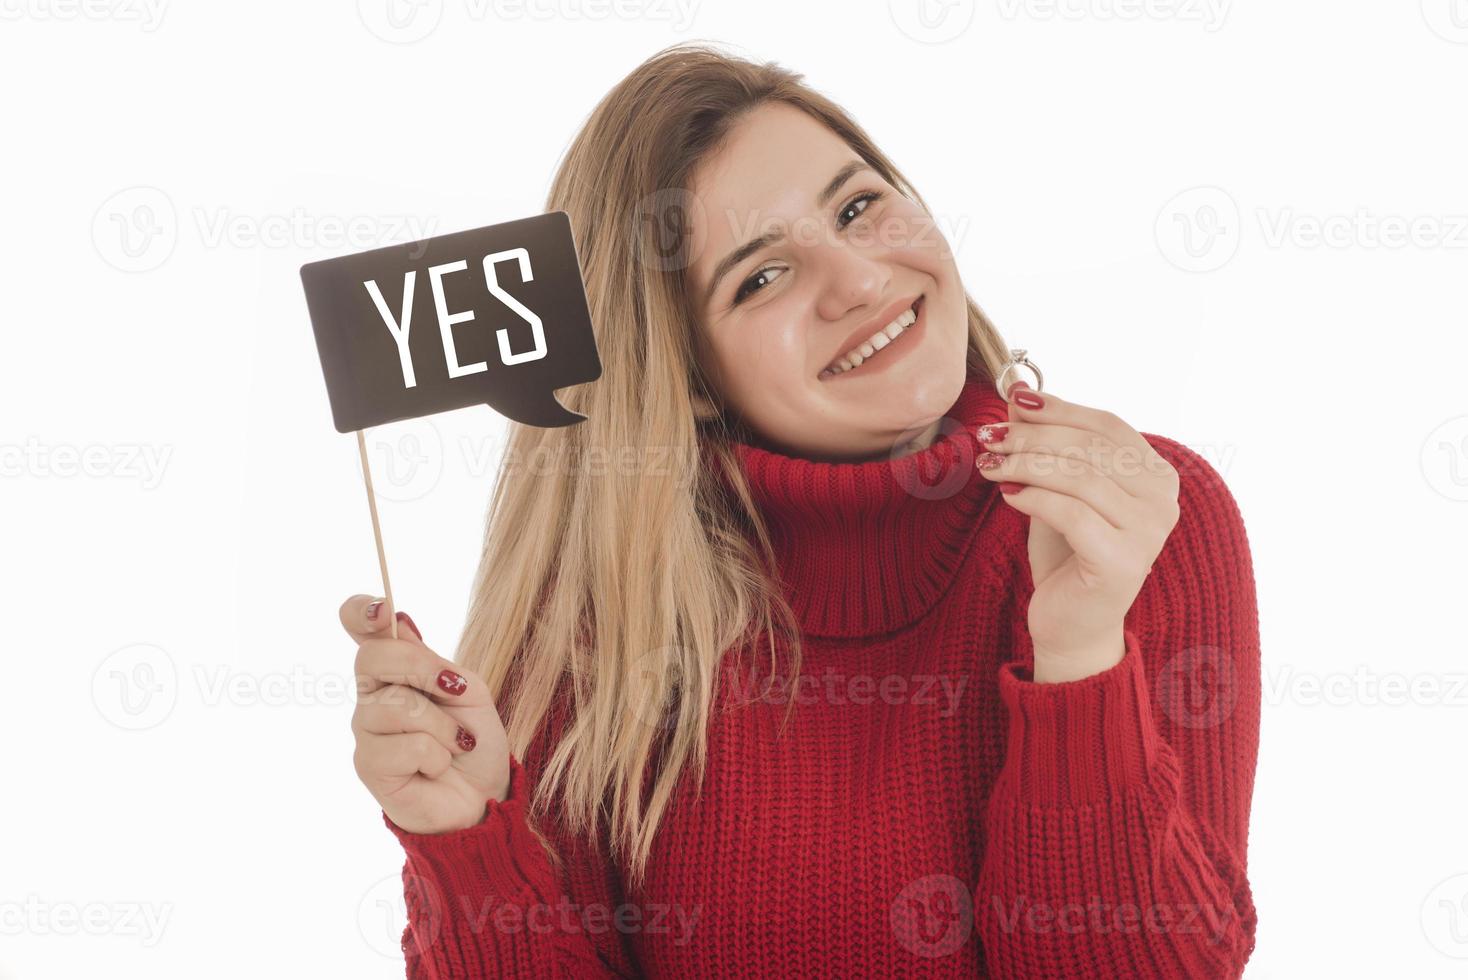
{"points": [[1078, 742]]}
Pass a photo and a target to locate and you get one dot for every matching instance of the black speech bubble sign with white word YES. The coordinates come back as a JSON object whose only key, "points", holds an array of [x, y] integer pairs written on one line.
{"points": [[498, 316]]}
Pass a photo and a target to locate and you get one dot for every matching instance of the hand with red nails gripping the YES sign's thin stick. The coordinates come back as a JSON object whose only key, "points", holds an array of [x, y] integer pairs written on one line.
{"points": [[431, 746]]}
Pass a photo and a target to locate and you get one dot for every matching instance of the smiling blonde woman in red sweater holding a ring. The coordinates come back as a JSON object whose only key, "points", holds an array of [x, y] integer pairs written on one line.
{"points": [[817, 655]]}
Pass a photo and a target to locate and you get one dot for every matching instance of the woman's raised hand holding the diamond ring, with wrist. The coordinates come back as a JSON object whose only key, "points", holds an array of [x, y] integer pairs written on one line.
{"points": [[1102, 502]]}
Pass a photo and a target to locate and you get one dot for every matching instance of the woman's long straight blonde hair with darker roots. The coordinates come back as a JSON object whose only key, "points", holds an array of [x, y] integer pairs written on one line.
{"points": [[619, 564]]}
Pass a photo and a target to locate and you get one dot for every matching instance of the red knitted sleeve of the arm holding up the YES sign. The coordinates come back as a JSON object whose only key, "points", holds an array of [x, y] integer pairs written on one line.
{"points": [[488, 903]]}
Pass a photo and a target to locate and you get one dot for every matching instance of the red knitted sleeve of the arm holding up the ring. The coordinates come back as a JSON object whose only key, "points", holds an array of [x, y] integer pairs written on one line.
{"points": [[1118, 827]]}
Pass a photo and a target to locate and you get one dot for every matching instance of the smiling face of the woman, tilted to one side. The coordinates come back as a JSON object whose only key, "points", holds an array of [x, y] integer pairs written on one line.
{"points": [[832, 307]]}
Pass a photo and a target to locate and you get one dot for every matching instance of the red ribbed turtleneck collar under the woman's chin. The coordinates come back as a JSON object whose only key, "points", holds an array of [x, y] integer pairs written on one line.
{"points": [[868, 548]]}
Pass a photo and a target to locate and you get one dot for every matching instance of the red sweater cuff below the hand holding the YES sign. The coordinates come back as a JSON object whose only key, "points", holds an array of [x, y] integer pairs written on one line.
{"points": [[498, 857]]}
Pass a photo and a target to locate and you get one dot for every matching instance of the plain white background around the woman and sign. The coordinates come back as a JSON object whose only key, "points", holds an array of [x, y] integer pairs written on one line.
{"points": [[181, 520]]}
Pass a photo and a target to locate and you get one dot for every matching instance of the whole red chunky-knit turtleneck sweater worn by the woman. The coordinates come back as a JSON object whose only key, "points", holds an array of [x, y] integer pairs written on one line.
{"points": [[929, 811]]}
